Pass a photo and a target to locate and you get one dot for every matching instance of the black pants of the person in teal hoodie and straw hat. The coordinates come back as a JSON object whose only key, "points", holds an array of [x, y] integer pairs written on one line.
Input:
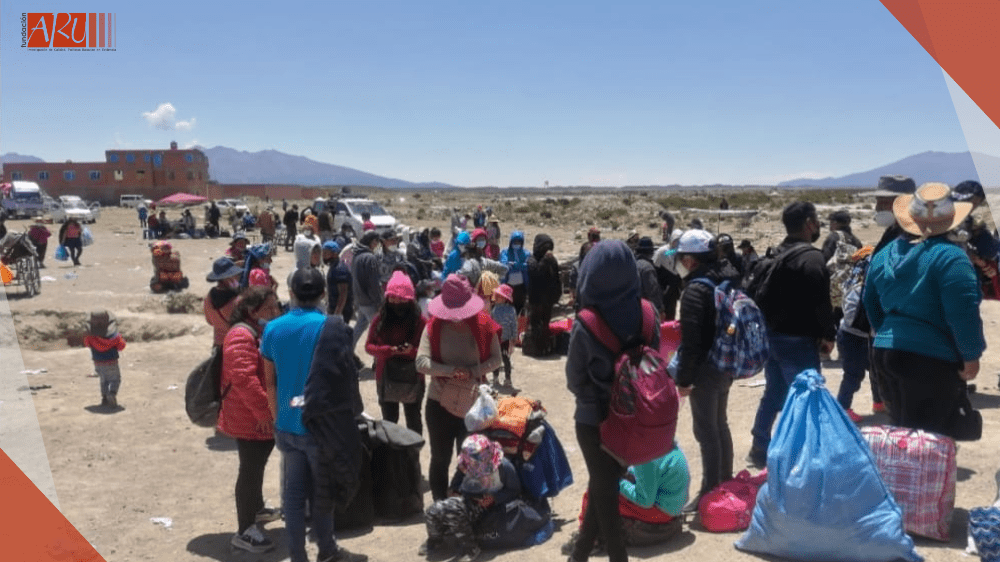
{"points": [[921, 392]]}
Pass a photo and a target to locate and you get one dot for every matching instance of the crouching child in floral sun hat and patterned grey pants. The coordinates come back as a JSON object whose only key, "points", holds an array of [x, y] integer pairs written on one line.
{"points": [[484, 479]]}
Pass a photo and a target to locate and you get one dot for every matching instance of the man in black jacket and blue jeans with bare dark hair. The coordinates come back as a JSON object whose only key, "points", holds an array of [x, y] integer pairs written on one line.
{"points": [[799, 318]]}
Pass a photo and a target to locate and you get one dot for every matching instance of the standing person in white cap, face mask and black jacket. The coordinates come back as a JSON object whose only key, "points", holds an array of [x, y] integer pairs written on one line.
{"points": [[698, 377]]}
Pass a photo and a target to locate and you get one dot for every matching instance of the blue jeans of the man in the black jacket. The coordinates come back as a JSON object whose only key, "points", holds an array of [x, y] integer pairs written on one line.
{"points": [[789, 356]]}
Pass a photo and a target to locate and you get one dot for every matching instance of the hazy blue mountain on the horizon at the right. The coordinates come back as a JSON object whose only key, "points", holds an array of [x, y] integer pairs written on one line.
{"points": [[947, 167]]}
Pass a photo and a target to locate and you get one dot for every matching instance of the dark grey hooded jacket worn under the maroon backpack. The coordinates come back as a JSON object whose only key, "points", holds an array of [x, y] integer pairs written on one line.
{"points": [[609, 283]]}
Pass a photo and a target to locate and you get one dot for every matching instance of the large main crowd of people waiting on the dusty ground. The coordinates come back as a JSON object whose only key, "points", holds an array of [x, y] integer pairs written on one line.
{"points": [[439, 320]]}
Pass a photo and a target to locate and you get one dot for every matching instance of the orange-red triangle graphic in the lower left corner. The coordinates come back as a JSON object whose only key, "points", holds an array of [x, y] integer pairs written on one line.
{"points": [[31, 528]]}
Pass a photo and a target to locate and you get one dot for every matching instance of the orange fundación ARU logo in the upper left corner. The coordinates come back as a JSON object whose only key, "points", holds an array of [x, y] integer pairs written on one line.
{"points": [[69, 31]]}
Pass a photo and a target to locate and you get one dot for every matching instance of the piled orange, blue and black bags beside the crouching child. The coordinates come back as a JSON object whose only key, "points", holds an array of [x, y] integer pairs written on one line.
{"points": [[532, 446]]}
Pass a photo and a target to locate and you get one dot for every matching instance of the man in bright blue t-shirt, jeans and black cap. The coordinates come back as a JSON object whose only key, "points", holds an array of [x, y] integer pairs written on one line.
{"points": [[287, 347]]}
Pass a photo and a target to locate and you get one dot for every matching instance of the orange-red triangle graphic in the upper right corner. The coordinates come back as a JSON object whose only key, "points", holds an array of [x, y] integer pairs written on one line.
{"points": [[961, 35]]}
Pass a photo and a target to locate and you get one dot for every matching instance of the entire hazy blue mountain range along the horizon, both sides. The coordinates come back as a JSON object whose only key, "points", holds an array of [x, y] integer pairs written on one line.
{"points": [[227, 165]]}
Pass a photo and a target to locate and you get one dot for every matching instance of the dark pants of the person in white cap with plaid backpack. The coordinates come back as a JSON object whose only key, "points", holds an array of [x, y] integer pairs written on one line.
{"points": [[709, 401]]}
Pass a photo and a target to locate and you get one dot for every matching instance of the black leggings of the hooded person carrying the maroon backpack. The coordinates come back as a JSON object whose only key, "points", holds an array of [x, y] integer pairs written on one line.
{"points": [[602, 517]]}
